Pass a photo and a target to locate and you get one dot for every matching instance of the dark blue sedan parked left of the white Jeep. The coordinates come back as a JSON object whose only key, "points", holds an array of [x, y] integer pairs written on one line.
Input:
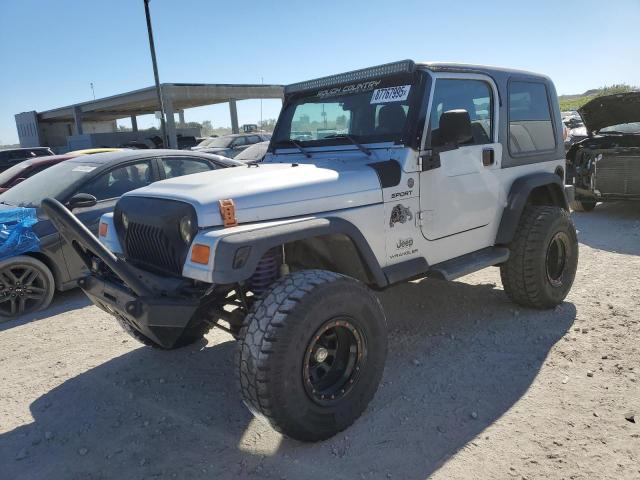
{"points": [[90, 186]]}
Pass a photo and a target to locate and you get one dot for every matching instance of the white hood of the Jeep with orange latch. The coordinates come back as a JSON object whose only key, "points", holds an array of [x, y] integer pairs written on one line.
{"points": [[270, 191]]}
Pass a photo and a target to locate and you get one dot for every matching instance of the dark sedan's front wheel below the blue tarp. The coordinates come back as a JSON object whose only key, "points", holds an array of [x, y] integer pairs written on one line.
{"points": [[10, 271]]}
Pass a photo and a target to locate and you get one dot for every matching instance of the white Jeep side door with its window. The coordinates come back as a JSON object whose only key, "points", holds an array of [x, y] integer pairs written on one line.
{"points": [[460, 191]]}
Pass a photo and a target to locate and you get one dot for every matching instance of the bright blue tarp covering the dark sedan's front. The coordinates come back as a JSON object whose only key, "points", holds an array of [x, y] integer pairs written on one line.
{"points": [[16, 233]]}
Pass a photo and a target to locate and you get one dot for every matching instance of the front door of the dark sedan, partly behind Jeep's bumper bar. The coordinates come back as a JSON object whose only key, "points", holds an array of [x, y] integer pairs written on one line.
{"points": [[107, 188]]}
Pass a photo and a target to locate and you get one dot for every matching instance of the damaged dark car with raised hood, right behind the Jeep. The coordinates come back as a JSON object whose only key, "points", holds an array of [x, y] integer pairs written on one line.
{"points": [[605, 166]]}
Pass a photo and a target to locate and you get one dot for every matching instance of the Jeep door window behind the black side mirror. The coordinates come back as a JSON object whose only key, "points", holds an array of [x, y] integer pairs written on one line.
{"points": [[474, 96]]}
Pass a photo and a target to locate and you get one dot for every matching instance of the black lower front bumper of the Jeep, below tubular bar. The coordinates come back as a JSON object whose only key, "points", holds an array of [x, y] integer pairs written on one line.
{"points": [[162, 319]]}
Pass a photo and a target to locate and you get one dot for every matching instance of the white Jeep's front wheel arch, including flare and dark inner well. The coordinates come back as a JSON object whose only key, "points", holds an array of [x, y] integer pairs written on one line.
{"points": [[312, 243]]}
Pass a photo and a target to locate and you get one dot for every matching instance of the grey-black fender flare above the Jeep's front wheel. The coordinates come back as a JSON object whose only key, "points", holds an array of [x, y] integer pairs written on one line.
{"points": [[263, 239]]}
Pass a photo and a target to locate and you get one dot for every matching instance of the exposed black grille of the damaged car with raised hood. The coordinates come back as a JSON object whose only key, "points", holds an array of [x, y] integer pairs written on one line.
{"points": [[618, 175]]}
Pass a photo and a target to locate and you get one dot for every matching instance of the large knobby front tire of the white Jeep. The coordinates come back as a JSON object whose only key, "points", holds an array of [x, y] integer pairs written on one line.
{"points": [[274, 343]]}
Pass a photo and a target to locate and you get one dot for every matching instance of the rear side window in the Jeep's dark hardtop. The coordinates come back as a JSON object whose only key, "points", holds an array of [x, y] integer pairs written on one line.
{"points": [[530, 125]]}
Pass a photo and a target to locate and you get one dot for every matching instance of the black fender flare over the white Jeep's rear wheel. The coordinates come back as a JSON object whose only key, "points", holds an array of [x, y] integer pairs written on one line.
{"points": [[517, 200]]}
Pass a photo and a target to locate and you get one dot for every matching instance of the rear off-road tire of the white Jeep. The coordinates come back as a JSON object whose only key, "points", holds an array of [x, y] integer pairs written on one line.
{"points": [[525, 276]]}
